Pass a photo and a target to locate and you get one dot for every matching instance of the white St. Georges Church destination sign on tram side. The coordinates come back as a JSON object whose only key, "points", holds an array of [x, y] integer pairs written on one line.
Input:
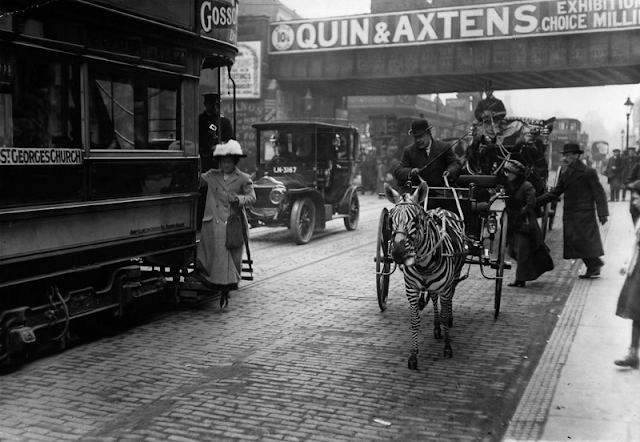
{"points": [[21, 156]]}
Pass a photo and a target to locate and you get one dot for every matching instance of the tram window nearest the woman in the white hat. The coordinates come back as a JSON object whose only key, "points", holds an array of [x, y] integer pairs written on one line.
{"points": [[129, 113]]}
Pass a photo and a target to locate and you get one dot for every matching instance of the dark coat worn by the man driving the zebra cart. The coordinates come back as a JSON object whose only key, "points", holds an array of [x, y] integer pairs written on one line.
{"points": [[440, 158]]}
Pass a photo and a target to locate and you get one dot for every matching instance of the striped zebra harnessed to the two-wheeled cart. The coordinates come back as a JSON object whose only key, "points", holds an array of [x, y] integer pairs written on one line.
{"points": [[432, 248]]}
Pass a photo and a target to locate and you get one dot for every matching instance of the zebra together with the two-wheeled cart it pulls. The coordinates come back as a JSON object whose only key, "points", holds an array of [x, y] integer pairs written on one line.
{"points": [[432, 238]]}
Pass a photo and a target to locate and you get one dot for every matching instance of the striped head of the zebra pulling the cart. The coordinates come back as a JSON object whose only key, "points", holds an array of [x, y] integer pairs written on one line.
{"points": [[406, 219]]}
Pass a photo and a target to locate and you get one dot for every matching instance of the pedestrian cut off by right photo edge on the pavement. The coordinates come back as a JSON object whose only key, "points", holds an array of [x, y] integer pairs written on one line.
{"points": [[629, 299]]}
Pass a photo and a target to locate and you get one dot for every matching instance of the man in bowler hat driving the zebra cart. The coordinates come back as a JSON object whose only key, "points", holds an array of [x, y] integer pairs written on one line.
{"points": [[426, 158]]}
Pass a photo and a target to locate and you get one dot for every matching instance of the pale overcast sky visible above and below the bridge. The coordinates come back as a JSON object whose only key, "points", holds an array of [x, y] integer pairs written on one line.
{"points": [[603, 104]]}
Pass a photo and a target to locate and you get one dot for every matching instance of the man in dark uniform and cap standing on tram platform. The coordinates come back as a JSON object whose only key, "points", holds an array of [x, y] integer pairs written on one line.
{"points": [[214, 128]]}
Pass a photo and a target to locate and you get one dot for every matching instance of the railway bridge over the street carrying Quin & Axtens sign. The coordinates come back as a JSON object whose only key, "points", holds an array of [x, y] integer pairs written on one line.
{"points": [[453, 46]]}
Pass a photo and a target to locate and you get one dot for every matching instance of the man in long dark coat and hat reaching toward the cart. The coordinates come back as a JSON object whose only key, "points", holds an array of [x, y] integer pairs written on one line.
{"points": [[584, 199]]}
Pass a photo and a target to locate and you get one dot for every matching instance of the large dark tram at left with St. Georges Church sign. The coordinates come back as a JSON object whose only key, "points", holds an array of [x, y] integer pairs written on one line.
{"points": [[99, 165]]}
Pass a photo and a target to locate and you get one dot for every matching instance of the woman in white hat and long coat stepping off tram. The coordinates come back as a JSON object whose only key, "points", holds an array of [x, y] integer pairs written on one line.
{"points": [[229, 192]]}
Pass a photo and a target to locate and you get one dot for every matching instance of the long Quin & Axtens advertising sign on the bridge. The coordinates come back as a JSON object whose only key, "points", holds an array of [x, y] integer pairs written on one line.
{"points": [[532, 18]]}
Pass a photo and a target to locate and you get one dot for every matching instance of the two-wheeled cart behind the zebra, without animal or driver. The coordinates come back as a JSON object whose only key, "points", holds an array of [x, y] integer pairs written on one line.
{"points": [[485, 227]]}
